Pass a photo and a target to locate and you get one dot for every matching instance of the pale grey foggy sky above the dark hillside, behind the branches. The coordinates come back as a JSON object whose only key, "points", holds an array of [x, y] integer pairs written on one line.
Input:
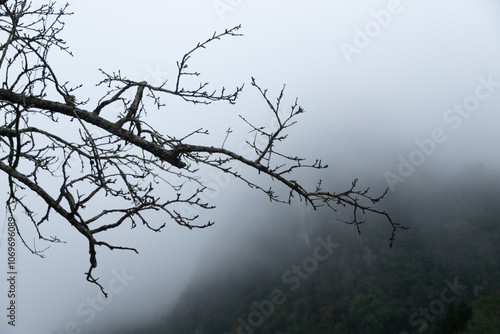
{"points": [[380, 82]]}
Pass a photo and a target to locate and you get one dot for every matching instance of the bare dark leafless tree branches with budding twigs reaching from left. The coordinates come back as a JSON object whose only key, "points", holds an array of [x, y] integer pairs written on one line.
{"points": [[99, 172]]}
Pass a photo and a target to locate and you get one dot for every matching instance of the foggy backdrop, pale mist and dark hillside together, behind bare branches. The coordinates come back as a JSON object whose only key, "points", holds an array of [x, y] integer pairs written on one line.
{"points": [[412, 106]]}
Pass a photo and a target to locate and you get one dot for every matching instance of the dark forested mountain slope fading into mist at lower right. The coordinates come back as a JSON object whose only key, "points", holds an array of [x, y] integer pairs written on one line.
{"points": [[363, 286]]}
